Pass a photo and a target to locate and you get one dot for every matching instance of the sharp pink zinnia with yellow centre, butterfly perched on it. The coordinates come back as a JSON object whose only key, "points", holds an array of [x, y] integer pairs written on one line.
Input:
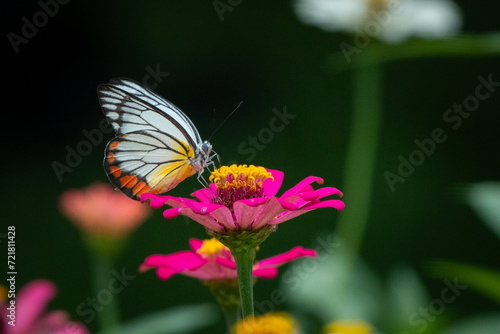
{"points": [[243, 198]]}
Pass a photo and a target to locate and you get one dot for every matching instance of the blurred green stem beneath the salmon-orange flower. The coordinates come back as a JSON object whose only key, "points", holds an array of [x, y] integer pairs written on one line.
{"points": [[108, 314]]}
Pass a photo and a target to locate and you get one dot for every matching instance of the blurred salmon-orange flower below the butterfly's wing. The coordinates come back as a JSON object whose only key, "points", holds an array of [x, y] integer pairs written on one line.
{"points": [[100, 210]]}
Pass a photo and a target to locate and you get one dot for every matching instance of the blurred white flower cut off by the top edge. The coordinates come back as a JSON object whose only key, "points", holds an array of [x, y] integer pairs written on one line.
{"points": [[391, 21]]}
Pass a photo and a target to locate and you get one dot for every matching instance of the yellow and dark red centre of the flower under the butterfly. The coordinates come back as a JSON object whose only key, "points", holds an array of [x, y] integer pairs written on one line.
{"points": [[238, 182]]}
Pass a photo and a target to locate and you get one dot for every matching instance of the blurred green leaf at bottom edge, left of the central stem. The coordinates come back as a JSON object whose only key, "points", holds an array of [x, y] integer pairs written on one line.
{"points": [[179, 320]]}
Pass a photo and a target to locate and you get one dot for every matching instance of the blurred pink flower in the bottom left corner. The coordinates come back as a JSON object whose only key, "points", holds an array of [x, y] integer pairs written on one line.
{"points": [[30, 317]]}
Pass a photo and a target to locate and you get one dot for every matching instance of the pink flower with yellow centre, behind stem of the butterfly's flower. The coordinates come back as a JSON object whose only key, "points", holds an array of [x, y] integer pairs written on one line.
{"points": [[210, 260]]}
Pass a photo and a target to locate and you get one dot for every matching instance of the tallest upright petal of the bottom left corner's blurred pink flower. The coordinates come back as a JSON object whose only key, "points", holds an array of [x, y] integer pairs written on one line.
{"points": [[31, 302]]}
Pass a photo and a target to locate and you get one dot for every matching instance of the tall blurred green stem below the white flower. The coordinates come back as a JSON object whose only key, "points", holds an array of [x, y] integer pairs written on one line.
{"points": [[361, 155]]}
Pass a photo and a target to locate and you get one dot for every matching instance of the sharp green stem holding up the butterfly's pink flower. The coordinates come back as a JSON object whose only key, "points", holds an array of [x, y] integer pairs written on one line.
{"points": [[244, 267]]}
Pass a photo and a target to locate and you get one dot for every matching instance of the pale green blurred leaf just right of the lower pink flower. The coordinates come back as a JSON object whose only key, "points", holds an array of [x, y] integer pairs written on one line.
{"points": [[336, 288]]}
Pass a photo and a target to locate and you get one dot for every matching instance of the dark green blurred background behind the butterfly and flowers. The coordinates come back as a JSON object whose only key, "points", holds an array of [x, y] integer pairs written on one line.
{"points": [[263, 55]]}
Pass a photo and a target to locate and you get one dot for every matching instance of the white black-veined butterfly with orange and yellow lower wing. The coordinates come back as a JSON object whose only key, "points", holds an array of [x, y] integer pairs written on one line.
{"points": [[156, 145]]}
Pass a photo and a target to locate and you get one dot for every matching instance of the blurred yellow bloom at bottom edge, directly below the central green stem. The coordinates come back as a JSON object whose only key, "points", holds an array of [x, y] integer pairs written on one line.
{"points": [[271, 323]]}
